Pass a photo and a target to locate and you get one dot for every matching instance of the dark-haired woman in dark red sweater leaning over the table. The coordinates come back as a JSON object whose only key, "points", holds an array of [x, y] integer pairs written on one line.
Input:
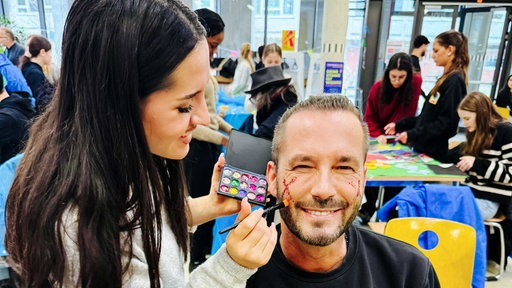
{"points": [[390, 99]]}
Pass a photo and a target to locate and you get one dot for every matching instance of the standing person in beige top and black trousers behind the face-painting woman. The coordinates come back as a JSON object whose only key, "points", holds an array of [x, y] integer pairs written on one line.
{"points": [[205, 146]]}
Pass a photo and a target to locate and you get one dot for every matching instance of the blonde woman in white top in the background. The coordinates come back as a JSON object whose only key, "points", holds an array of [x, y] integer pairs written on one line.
{"points": [[244, 68]]}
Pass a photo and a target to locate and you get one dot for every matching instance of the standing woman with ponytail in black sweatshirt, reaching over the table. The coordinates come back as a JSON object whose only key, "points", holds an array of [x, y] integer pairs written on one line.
{"points": [[438, 121]]}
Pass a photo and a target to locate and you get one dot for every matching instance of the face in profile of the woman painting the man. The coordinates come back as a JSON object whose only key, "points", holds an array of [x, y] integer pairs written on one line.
{"points": [[171, 114]]}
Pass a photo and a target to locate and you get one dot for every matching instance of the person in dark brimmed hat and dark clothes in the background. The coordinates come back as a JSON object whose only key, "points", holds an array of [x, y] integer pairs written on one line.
{"points": [[272, 94]]}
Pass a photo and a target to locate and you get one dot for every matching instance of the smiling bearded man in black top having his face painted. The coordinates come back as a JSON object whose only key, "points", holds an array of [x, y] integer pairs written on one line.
{"points": [[318, 152]]}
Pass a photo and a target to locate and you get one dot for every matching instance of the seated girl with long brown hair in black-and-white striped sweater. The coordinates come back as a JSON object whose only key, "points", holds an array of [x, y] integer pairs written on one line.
{"points": [[486, 157]]}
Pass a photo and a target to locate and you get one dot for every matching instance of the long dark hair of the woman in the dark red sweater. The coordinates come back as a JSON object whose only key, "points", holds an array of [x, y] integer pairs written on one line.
{"points": [[400, 61]]}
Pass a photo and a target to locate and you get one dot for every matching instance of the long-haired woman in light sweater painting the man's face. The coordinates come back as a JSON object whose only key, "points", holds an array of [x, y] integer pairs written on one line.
{"points": [[100, 199]]}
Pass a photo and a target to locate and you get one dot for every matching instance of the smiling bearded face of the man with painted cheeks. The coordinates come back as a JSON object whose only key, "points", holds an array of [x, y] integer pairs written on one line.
{"points": [[321, 172]]}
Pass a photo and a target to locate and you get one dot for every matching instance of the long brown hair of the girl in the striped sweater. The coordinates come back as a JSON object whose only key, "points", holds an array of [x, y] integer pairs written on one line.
{"points": [[487, 119]]}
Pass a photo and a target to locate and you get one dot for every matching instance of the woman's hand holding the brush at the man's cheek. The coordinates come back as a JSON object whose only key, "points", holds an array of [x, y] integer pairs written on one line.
{"points": [[251, 243]]}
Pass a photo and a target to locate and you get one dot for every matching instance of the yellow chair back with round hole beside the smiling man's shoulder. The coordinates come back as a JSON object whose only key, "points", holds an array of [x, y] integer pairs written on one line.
{"points": [[452, 258]]}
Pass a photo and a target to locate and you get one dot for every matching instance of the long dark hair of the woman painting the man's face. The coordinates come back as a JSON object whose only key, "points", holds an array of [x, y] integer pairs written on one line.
{"points": [[87, 155]]}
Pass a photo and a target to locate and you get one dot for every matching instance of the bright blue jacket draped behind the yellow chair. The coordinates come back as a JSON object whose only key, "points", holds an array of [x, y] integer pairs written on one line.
{"points": [[455, 203]]}
